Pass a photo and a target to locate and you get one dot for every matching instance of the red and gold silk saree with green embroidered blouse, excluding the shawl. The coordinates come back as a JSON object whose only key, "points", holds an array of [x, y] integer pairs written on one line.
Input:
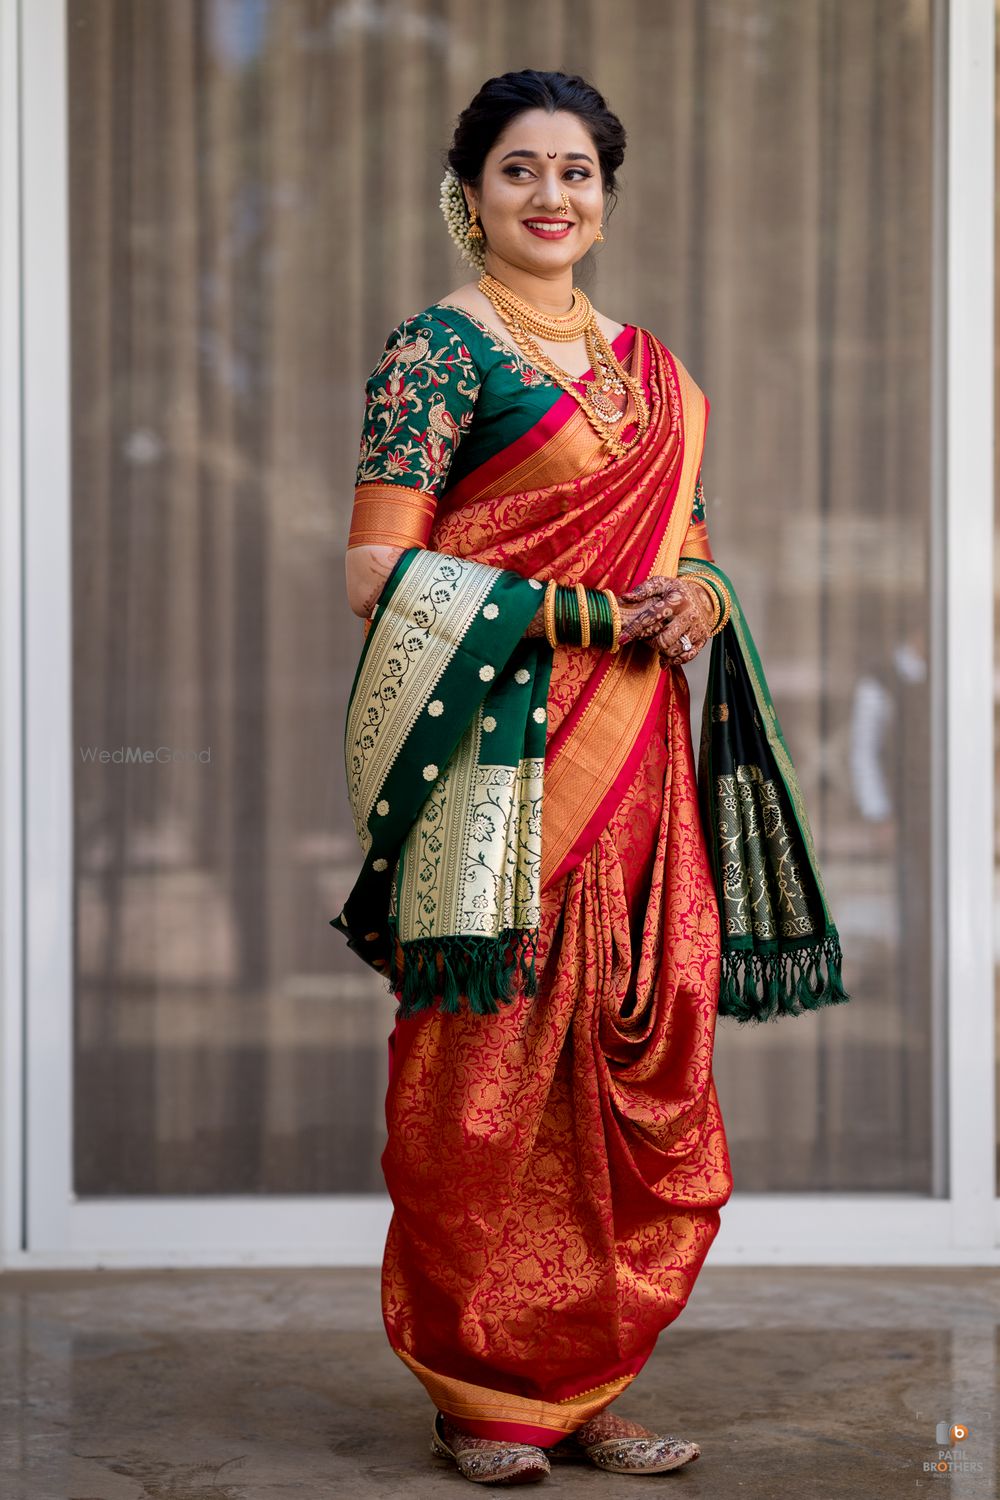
{"points": [[558, 1169]]}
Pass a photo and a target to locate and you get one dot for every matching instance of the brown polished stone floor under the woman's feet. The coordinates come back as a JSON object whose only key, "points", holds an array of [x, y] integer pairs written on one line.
{"points": [[257, 1385]]}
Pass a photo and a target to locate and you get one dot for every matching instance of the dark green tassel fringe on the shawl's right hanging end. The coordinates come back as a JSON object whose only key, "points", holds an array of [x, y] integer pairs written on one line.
{"points": [[762, 988]]}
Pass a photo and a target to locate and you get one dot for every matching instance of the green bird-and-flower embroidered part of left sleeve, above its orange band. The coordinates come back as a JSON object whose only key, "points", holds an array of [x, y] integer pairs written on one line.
{"points": [[419, 404]]}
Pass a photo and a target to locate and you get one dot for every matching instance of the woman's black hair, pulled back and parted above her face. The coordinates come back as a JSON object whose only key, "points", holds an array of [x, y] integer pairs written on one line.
{"points": [[504, 98]]}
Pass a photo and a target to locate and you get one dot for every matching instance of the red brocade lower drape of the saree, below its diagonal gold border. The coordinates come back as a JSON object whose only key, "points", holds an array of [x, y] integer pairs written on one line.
{"points": [[558, 1169]]}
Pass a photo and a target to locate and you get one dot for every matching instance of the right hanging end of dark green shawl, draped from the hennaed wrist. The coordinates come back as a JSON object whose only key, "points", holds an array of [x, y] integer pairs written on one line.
{"points": [[782, 952]]}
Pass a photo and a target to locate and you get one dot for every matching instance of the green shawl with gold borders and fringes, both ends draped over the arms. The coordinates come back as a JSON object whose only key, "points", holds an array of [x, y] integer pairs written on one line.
{"points": [[445, 748]]}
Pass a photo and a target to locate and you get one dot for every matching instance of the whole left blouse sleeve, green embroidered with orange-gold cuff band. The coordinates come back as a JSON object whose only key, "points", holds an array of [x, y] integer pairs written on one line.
{"points": [[419, 404]]}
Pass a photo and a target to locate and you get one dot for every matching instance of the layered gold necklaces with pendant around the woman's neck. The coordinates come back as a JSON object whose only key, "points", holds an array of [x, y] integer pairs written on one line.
{"points": [[611, 379]]}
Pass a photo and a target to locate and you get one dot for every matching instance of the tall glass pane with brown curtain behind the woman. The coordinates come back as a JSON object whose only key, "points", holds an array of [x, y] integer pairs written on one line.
{"points": [[254, 206]]}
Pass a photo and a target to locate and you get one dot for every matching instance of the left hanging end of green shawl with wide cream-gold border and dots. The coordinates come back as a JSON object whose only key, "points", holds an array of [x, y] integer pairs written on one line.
{"points": [[445, 748]]}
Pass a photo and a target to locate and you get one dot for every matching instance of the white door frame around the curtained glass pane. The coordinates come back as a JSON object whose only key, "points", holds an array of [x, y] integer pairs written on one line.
{"points": [[41, 1222]]}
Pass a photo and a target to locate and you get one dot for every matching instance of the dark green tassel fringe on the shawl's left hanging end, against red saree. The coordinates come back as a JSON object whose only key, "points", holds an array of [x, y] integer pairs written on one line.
{"points": [[484, 971]]}
